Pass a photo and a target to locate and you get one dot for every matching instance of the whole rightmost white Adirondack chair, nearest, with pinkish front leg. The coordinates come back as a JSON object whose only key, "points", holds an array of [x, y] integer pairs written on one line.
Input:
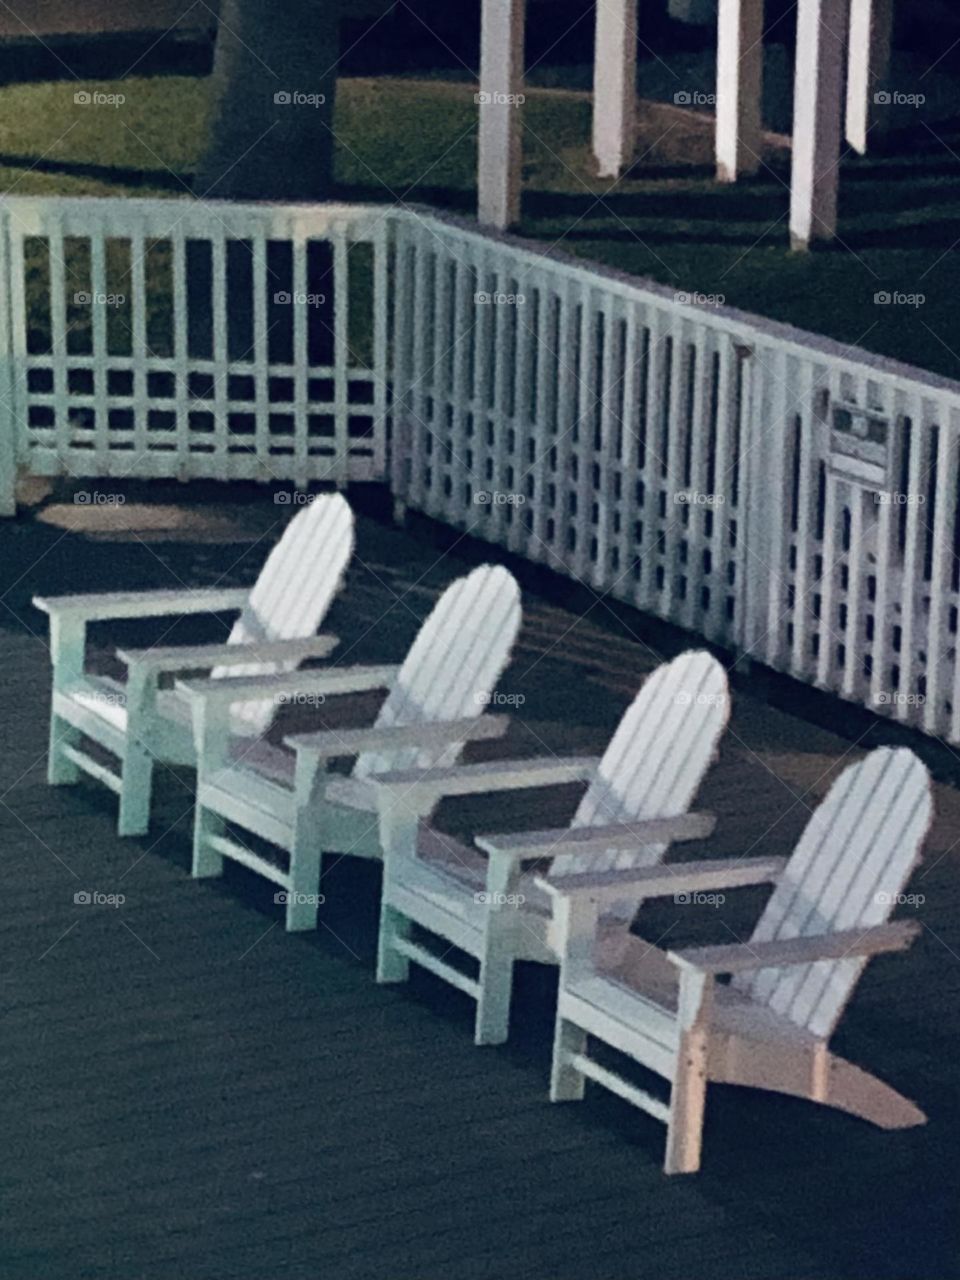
{"points": [[771, 1027]]}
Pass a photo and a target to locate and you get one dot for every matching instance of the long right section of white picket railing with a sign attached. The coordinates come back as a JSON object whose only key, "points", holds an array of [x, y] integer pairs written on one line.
{"points": [[789, 499]]}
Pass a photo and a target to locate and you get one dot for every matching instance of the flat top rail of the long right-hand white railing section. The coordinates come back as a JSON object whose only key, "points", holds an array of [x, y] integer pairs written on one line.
{"points": [[746, 326]]}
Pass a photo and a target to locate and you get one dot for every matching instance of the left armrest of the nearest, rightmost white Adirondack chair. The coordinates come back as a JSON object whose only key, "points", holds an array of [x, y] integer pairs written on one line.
{"points": [[676, 879]]}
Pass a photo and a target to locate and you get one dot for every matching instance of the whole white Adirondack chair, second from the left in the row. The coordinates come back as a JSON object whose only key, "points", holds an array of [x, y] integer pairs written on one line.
{"points": [[289, 798]]}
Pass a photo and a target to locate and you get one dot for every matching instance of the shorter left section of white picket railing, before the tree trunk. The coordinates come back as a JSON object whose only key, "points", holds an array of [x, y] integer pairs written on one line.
{"points": [[177, 339]]}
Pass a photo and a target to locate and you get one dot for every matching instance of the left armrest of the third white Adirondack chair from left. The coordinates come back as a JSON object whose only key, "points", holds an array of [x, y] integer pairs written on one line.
{"points": [[428, 787]]}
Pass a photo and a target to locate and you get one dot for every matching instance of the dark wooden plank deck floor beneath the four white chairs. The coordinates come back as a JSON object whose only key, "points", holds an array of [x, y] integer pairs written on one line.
{"points": [[188, 1092]]}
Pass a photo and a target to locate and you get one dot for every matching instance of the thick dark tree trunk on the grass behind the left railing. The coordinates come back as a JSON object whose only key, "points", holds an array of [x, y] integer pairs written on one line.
{"points": [[275, 84]]}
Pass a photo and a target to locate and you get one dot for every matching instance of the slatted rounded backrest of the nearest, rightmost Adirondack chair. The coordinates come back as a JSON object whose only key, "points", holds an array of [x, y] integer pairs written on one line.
{"points": [[854, 858]]}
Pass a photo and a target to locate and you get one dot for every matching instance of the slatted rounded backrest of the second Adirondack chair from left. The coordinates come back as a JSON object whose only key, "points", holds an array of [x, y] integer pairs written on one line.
{"points": [[452, 666]]}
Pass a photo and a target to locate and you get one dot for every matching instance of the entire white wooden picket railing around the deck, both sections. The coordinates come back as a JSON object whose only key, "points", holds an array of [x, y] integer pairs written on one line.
{"points": [[789, 499]]}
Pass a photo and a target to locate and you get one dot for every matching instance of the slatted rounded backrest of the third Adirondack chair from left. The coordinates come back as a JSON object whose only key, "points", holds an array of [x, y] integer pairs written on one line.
{"points": [[657, 758]]}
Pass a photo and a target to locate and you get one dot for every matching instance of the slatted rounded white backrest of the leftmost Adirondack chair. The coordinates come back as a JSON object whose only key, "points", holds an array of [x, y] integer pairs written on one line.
{"points": [[292, 595]]}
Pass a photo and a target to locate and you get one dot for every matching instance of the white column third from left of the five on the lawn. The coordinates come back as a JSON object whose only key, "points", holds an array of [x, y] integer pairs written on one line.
{"points": [[739, 88]]}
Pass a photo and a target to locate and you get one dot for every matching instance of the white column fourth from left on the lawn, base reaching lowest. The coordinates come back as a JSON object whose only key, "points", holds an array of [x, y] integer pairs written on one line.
{"points": [[819, 112]]}
